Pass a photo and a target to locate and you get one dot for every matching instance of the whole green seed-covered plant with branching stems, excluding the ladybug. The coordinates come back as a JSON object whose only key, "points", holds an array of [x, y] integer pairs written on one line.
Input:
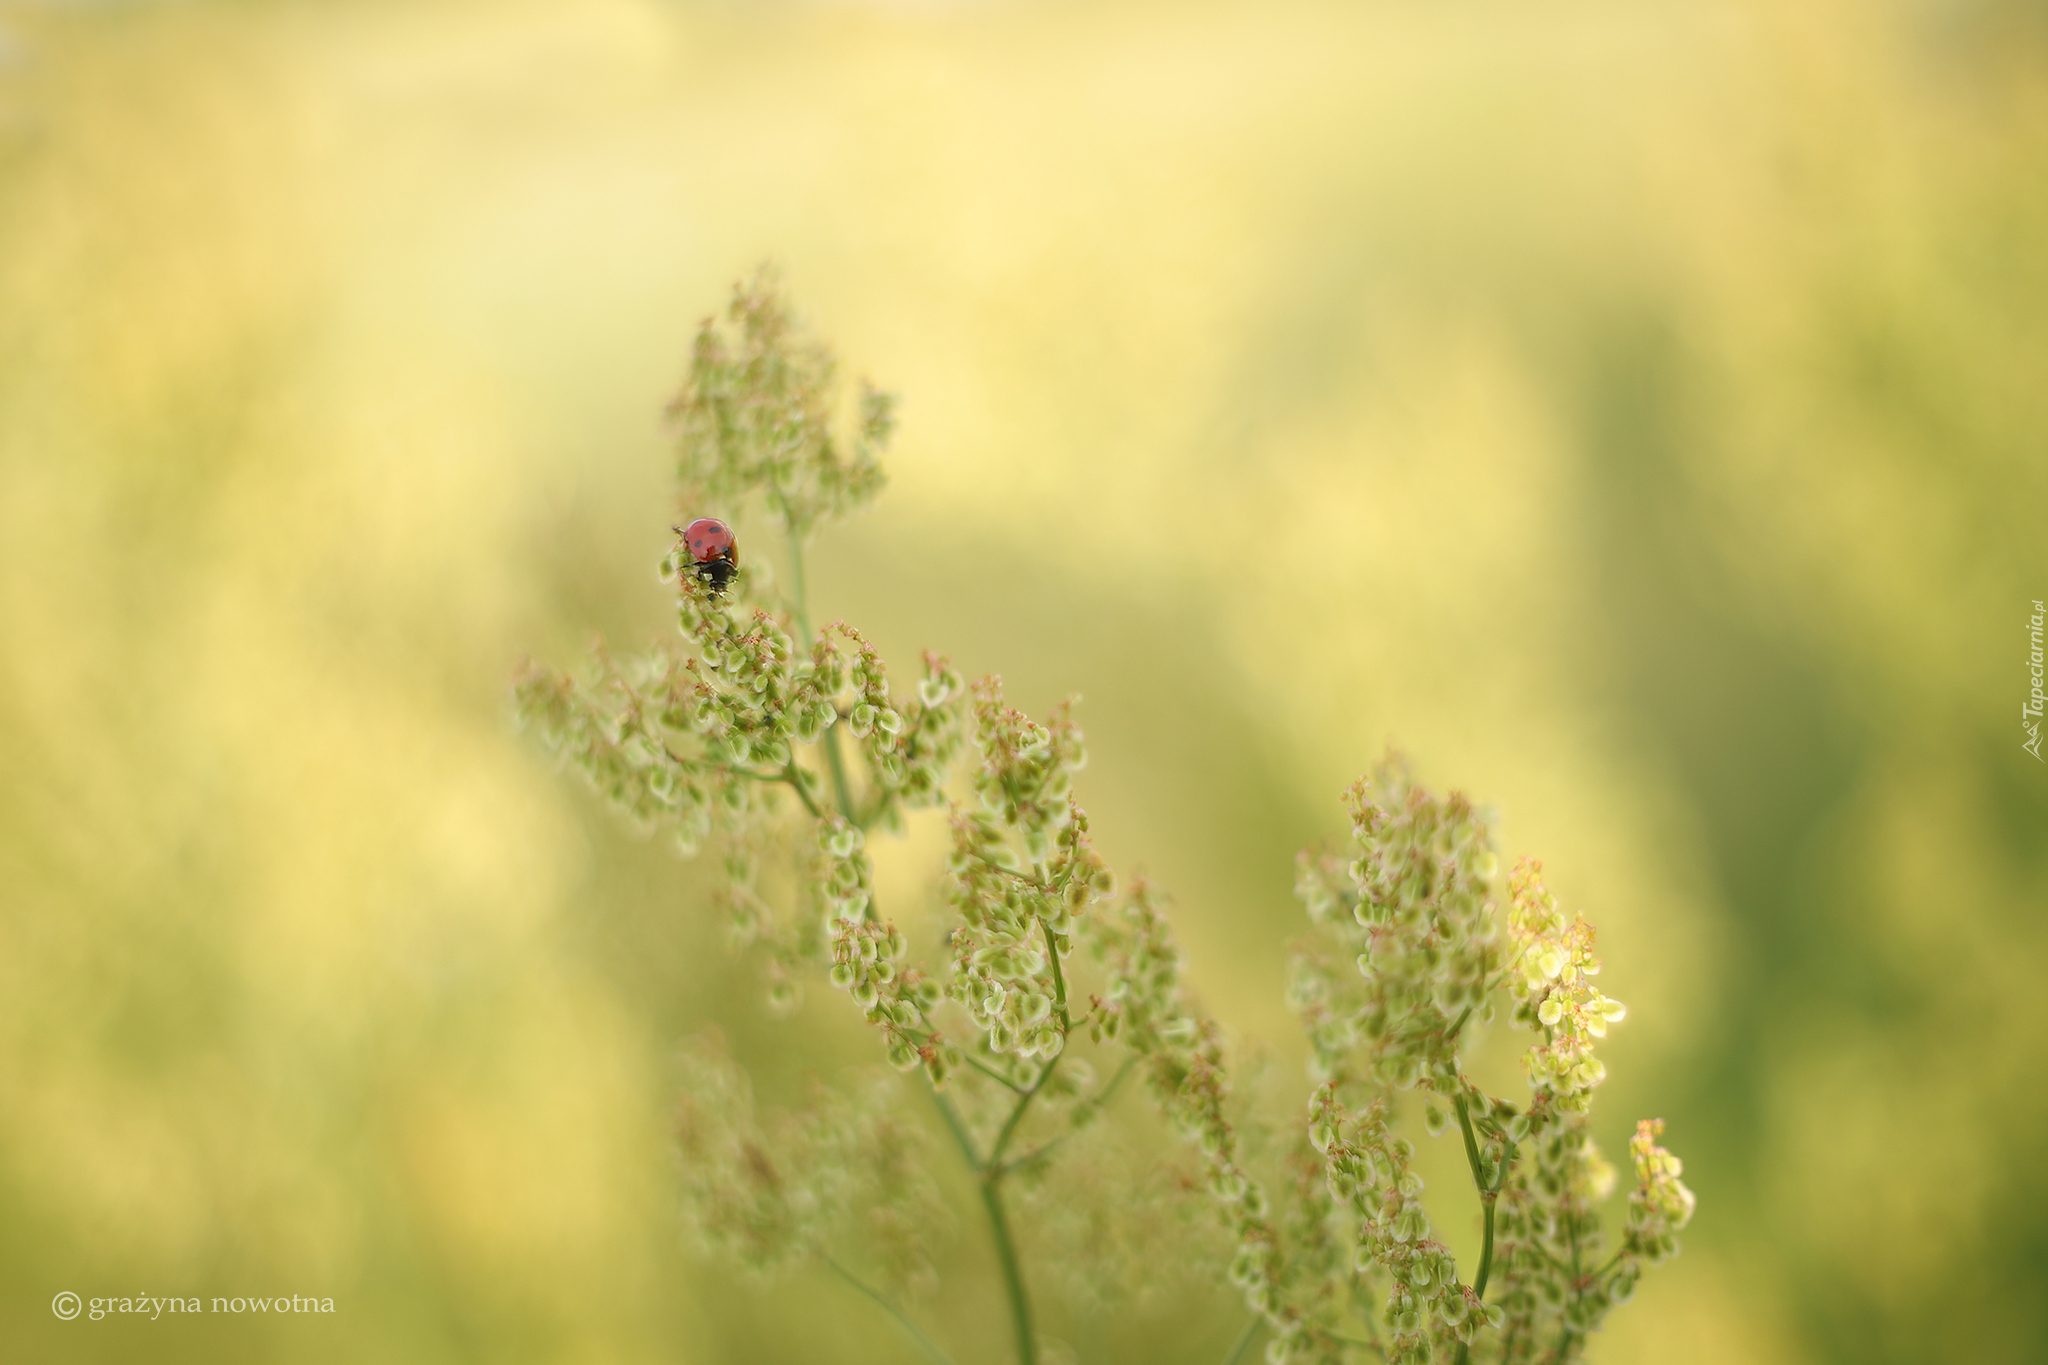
{"points": [[787, 748]]}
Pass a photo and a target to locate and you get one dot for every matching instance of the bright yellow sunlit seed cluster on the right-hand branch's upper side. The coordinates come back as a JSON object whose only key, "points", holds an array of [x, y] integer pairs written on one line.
{"points": [[1553, 992]]}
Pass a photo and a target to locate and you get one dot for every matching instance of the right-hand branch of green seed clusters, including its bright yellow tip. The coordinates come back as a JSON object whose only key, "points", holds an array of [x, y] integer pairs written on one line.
{"points": [[1416, 910]]}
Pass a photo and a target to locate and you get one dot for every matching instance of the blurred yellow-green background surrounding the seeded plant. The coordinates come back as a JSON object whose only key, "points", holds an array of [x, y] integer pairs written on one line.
{"points": [[1633, 410]]}
